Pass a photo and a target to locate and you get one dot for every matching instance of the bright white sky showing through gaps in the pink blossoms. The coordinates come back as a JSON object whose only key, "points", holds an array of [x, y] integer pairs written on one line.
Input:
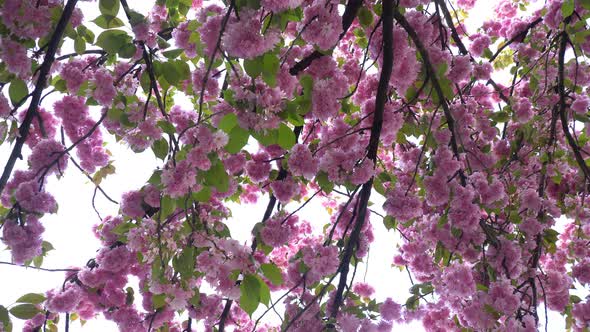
{"points": [[70, 230]]}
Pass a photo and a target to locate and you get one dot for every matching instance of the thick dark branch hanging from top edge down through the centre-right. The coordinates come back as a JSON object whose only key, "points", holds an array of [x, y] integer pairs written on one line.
{"points": [[365, 194]]}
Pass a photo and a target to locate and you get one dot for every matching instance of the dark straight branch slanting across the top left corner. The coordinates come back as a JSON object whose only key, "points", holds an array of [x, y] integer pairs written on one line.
{"points": [[23, 130]]}
